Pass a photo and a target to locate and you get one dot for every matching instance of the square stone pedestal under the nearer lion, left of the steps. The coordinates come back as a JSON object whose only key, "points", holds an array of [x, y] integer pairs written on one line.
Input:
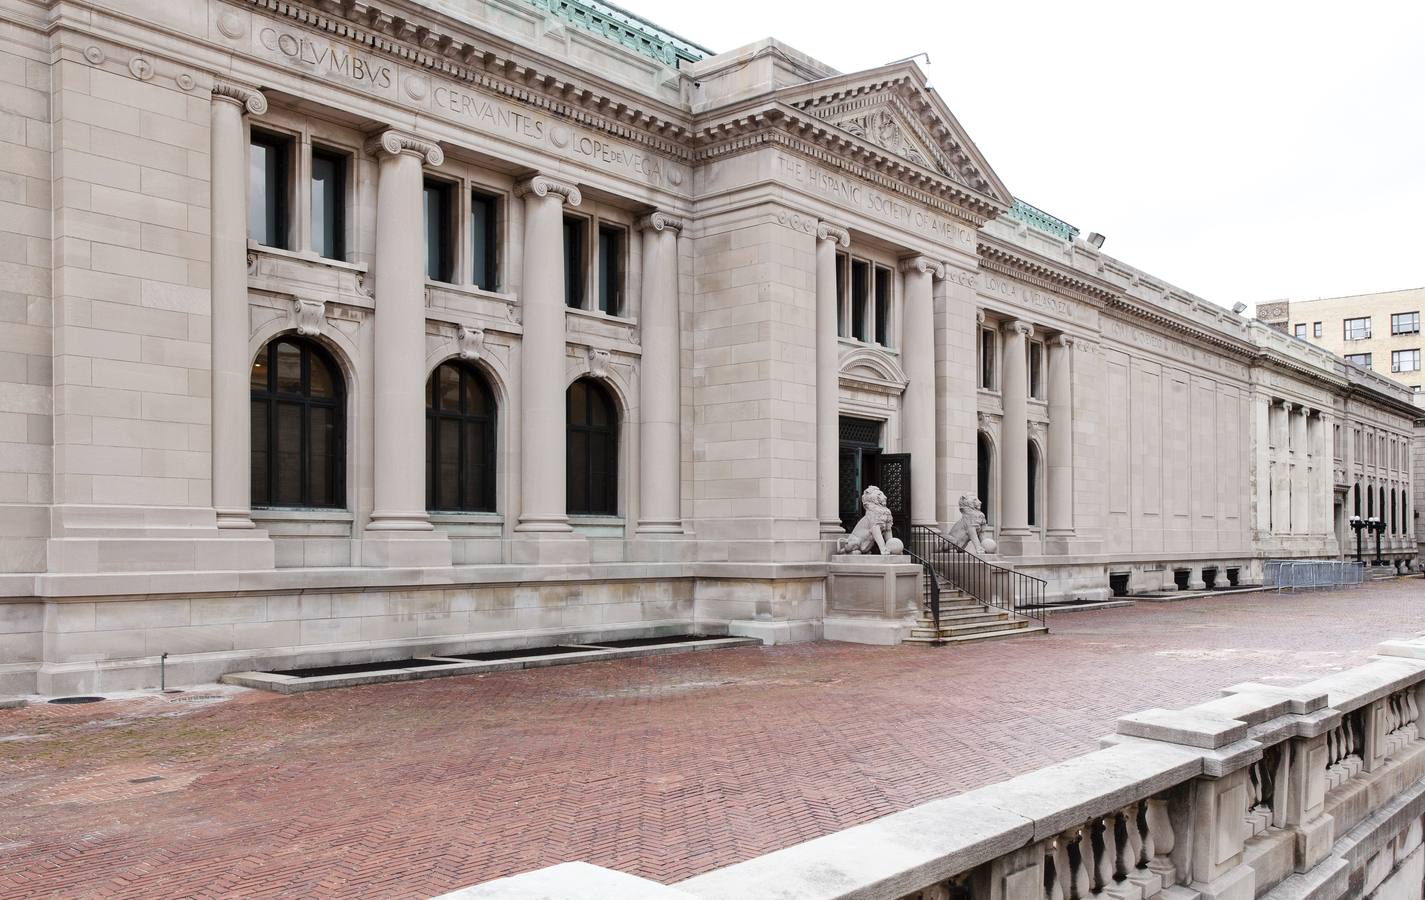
{"points": [[871, 599]]}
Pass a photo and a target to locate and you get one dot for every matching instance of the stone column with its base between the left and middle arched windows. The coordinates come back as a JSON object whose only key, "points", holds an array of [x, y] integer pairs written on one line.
{"points": [[400, 532]]}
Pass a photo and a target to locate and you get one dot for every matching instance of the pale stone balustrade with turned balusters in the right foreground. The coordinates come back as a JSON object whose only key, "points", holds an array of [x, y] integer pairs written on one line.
{"points": [[1313, 791]]}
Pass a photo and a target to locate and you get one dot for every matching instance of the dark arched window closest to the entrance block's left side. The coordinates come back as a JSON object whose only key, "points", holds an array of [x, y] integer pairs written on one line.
{"points": [[592, 488]]}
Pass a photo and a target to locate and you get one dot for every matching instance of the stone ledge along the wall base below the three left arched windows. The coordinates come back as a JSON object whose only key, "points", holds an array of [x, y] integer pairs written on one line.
{"points": [[42, 586]]}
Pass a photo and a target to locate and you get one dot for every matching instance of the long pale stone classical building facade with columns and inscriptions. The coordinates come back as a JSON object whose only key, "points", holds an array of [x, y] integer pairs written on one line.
{"points": [[340, 331]]}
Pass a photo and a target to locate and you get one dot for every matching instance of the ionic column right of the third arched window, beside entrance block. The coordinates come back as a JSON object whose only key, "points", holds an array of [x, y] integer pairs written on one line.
{"points": [[660, 458]]}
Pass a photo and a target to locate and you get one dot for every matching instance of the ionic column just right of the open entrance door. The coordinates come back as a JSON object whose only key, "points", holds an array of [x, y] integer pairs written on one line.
{"points": [[918, 412]]}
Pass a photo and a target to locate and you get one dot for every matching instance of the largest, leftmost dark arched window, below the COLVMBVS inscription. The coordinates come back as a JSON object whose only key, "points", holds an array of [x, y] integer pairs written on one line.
{"points": [[299, 427]]}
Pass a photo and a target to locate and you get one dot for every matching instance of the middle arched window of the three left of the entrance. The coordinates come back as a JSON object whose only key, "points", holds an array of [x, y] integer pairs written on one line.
{"points": [[460, 441]]}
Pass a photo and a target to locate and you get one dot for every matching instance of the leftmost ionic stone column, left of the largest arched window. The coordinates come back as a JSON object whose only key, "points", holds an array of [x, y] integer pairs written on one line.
{"points": [[232, 368]]}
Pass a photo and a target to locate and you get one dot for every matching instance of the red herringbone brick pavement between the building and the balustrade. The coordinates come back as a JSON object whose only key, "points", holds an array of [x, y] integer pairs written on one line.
{"points": [[665, 767]]}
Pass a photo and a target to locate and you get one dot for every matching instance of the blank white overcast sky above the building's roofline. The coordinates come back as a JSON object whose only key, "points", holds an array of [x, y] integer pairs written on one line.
{"points": [[1243, 152]]}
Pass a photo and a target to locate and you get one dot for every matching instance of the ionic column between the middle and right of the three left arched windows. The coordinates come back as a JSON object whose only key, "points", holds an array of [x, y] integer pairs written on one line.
{"points": [[542, 357]]}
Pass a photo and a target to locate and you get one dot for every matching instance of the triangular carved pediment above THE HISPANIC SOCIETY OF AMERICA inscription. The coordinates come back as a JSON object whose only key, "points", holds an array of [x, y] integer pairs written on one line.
{"points": [[897, 112]]}
